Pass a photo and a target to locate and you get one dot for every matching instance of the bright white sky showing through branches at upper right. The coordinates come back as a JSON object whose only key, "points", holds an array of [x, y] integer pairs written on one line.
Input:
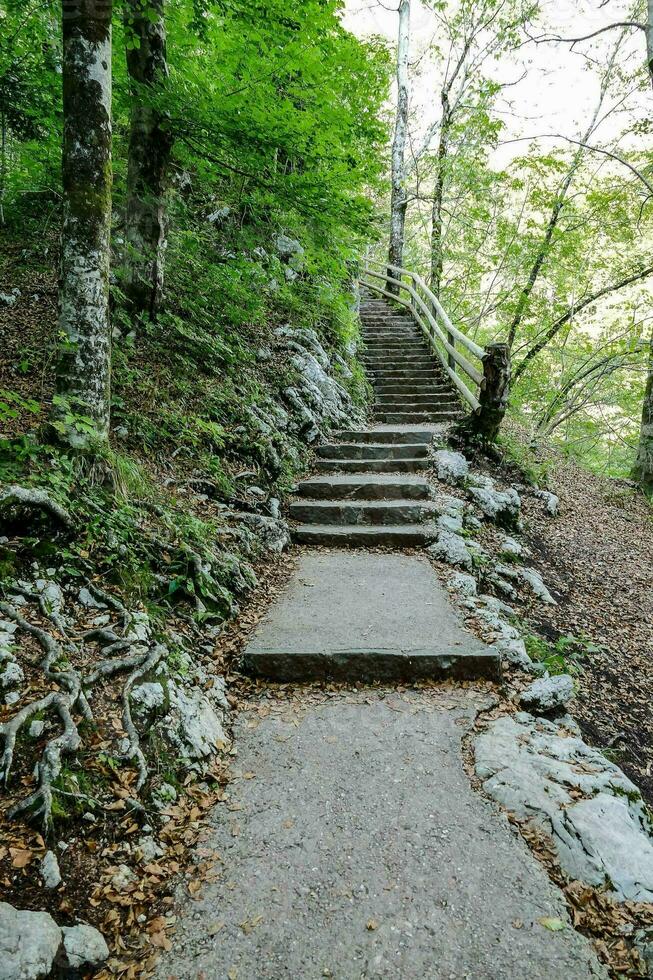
{"points": [[559, 91]]}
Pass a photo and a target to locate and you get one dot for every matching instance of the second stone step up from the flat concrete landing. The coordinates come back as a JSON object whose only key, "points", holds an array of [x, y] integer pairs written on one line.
{"points": [[363, 513]]}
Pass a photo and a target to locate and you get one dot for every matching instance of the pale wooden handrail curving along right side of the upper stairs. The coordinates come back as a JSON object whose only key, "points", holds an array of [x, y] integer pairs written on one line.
{"points": [[433, 332]]}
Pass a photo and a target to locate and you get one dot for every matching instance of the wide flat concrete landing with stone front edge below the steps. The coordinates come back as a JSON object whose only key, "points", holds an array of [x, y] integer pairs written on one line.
{"points": [[351, 615]]}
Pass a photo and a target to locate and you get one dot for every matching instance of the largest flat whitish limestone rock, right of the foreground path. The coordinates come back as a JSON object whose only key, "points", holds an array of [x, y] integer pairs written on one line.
{"points": [[535, 769]]}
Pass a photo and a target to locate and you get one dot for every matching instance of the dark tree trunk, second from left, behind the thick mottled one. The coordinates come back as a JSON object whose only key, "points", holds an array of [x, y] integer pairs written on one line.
{"points": [[148, 159]]}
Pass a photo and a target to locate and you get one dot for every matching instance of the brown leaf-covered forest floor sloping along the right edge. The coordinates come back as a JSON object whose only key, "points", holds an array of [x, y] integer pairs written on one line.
{"points": [[596, 558]]}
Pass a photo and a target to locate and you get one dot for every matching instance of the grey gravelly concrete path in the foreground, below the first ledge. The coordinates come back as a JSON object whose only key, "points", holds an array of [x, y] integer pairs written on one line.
{"points": [[354, 847]]}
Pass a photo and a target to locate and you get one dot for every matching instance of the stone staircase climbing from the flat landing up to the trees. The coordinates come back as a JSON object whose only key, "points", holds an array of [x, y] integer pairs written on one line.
{"points": [[368, 489]]}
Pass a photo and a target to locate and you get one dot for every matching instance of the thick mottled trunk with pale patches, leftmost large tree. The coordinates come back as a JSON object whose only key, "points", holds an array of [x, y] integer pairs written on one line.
{"points": [[84, 370]]}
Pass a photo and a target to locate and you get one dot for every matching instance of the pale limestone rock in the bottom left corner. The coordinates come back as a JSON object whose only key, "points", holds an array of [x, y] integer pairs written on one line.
{"points": [[29, 942]]}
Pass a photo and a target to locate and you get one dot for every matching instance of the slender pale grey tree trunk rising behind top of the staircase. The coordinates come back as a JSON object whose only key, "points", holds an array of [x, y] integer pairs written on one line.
{"points": [[399, 197]]}
